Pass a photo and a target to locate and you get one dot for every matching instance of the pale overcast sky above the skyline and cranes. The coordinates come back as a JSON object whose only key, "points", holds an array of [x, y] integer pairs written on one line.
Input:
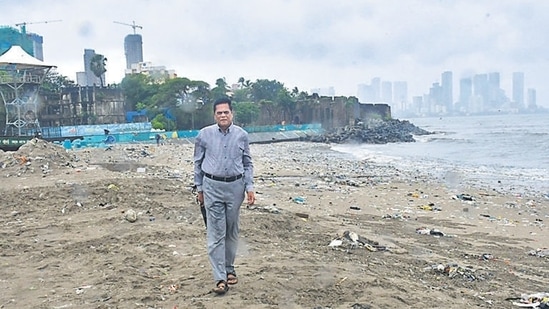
{"points": [[306, 43]]}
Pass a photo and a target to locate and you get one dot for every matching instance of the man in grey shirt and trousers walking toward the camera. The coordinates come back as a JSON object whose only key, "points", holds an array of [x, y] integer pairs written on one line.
{"points": [[223, 175]]}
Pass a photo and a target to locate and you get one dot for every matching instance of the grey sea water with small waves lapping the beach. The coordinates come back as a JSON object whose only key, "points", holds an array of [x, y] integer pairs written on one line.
{"points": [[508, 152]]}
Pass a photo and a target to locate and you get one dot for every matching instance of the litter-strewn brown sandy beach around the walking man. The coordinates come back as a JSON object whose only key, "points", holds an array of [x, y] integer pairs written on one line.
{"points": [[119, 228]]}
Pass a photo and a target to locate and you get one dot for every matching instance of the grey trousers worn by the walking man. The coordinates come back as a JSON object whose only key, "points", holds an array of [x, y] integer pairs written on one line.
{"points": [[222, 201]]}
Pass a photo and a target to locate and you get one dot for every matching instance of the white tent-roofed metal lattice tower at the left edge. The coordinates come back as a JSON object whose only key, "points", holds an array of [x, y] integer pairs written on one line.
{"points": [[20, 78]]}
